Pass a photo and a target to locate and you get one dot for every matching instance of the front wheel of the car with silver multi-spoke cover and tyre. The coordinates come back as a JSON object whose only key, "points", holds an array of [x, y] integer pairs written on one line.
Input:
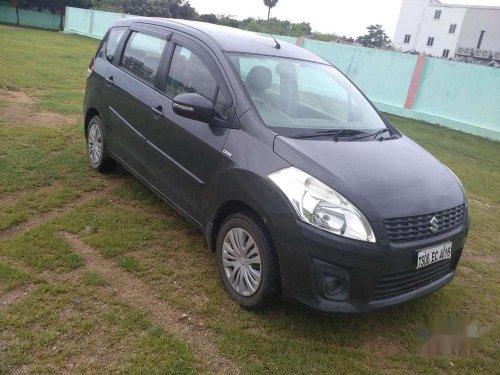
{"points": [[246, 261]]}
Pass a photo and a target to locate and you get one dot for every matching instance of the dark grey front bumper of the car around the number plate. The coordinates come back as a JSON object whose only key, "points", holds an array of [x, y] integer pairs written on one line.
{"points": [[369, 276]]}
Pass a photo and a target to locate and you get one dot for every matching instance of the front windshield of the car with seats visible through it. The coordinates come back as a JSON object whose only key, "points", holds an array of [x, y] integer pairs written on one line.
{"points": [[299, 97]]}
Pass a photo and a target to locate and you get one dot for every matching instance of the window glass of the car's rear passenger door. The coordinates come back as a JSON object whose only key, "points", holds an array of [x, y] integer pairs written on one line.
{"points": [[142, 55]]}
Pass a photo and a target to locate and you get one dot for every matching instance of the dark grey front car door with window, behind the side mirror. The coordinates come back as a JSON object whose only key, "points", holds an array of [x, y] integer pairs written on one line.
{"points": [[184, 154]]}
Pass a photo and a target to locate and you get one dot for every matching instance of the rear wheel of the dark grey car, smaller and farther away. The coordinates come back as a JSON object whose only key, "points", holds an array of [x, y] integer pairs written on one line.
{"points": [[97, 152]]}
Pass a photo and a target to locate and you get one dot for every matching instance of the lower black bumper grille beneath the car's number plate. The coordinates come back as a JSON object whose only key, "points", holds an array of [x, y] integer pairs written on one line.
{"points": [[404, 282]]}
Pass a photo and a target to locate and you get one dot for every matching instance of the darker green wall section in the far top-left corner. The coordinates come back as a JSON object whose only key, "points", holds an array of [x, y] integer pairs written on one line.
{"points": [[41, 20]]}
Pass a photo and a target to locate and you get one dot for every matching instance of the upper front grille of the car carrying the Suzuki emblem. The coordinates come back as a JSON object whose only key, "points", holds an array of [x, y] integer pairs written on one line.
{"points": [[413, 228]]}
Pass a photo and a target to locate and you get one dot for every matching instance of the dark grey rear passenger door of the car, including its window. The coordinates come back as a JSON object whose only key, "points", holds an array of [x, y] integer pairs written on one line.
{"points": [[131, 88]]}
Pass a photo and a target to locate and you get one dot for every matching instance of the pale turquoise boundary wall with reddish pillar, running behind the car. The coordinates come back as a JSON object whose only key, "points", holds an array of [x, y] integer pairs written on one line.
{"points": [[457, 95]]}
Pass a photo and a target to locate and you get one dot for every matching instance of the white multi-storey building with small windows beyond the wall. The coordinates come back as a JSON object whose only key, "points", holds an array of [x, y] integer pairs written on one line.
{"points": [[443, 30]]}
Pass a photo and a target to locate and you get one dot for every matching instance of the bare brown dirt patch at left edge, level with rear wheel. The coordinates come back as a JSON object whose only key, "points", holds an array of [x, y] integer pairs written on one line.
{"points": [[20, 109]]}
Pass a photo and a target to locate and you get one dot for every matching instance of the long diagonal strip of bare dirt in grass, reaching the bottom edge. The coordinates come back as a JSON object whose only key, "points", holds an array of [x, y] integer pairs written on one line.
{"points": [[138, 294]]}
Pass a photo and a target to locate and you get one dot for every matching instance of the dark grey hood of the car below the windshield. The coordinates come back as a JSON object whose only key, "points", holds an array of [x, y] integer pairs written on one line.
{"points": [[392, 178]]}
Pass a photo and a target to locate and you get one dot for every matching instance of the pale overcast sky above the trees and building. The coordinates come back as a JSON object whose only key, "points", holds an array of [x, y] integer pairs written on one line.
{"points": [[348, 17]]}
